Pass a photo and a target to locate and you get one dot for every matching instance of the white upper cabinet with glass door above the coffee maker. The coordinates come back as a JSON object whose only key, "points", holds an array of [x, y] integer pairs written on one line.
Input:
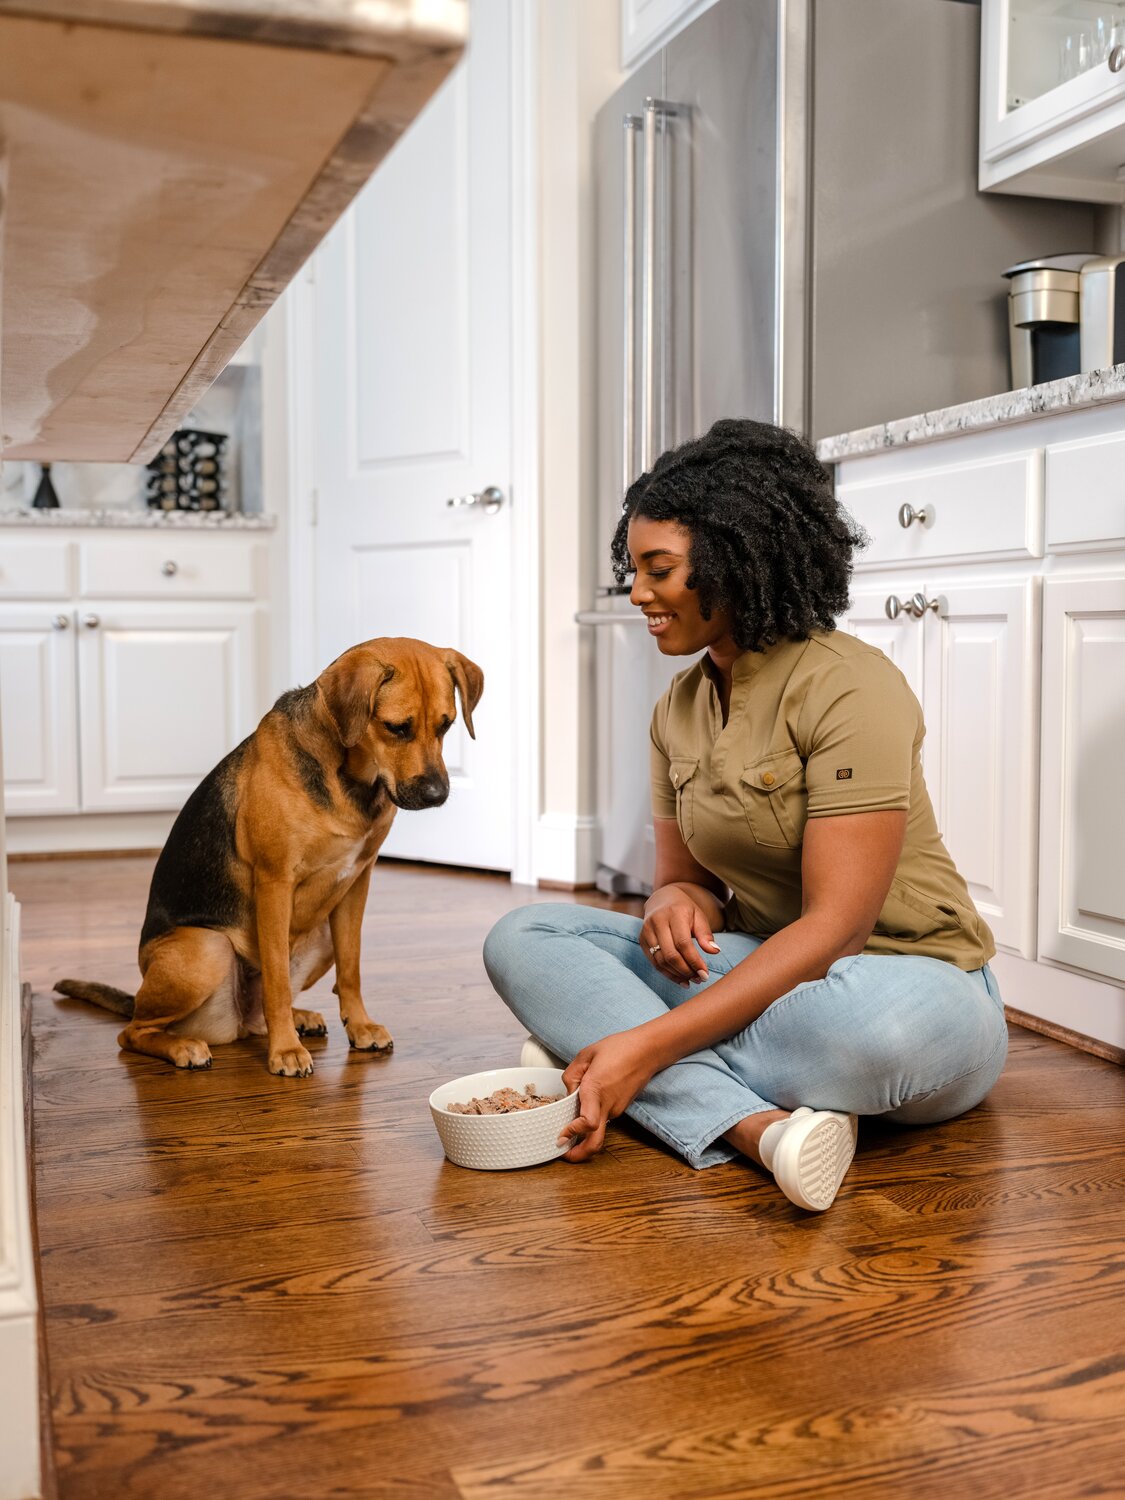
{"points": [[1054, 98]]}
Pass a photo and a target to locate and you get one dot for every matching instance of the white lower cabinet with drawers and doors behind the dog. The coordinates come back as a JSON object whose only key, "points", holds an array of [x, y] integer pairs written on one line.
{"points": [[130, 667]]}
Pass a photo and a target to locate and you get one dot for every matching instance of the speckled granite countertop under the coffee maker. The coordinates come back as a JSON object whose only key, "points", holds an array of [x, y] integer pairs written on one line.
{"points": [[976, 416]]}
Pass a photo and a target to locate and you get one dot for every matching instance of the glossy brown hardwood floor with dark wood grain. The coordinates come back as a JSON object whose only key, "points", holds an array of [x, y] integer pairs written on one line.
{"points": [[262, 1288]]}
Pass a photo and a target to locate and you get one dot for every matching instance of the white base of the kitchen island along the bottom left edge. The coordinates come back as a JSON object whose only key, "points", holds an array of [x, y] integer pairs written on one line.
{"points": [[20, 1477]]}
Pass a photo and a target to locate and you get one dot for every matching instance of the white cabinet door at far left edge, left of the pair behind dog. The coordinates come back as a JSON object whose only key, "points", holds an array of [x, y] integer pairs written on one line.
{"points": [[38, 689]]}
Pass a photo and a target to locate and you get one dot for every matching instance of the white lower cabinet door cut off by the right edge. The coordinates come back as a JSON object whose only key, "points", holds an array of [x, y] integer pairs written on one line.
{"points": [[1082, 905]]}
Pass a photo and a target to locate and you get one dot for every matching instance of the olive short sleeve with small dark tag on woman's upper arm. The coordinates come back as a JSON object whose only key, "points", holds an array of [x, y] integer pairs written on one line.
{"points": [[862, 728]]}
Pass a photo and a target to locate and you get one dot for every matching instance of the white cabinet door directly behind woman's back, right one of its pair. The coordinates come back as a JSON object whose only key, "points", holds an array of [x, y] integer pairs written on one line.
{"points": [[982, 761]]}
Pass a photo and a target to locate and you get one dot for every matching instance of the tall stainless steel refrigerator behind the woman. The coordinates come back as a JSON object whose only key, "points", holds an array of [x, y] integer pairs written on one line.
{"points": [[788, 229]]}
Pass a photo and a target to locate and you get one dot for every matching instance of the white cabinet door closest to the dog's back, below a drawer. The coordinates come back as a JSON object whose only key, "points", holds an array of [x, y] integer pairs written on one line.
{"points": [[166, 695]]}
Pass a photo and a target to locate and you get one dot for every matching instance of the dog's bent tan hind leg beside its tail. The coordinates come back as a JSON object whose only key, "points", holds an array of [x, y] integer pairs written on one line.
{"points": [[182, 973]]}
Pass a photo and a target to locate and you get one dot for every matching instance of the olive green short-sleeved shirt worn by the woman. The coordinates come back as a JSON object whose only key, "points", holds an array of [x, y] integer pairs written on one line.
{"points": [[817, 728]]}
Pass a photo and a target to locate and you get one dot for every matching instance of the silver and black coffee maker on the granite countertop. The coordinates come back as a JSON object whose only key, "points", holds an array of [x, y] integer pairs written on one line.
{"points": [[1066, 316]]}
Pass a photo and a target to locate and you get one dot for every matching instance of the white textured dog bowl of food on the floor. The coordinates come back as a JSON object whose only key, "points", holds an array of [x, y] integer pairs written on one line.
{"points": [[497, 1142]]}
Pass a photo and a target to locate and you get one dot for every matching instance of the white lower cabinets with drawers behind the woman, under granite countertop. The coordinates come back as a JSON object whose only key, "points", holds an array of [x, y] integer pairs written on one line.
{"points": [[1019, 673]]}
